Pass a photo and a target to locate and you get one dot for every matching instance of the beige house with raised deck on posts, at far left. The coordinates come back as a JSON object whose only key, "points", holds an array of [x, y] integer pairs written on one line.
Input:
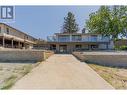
{"points": [[13, 38]]}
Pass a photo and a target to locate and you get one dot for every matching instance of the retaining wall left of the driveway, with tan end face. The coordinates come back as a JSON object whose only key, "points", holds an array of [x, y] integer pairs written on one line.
{"points": [[24, 55]]}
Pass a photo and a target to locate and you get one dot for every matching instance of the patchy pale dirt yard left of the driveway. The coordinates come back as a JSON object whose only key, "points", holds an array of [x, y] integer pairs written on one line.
{"points": [[11, 72]]}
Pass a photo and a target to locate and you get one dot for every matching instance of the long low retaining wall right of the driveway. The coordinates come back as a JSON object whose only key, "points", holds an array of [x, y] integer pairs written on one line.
{"points": [[104, 58]]}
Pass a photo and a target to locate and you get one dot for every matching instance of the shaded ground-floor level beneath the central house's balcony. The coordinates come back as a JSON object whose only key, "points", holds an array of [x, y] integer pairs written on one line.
{"points": [[71, 47]]}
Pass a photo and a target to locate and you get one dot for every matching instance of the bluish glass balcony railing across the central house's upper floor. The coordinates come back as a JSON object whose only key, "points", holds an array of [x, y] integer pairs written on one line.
{"points": [[90, 39]]}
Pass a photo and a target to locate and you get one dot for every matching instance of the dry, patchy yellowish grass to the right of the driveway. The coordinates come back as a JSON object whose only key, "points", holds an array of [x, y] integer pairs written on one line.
{"points": [[117, 77]]}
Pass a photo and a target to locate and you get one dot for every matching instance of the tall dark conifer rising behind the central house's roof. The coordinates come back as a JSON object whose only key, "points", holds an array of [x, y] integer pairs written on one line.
{"points": [[70, 25]]}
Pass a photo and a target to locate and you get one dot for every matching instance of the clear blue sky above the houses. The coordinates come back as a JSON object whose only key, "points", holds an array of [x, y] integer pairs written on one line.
{"points": [[42, 21]]}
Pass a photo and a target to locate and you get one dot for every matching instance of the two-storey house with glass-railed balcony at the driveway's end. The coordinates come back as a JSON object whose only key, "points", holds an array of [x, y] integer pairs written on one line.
{"points": [[67, 43]]}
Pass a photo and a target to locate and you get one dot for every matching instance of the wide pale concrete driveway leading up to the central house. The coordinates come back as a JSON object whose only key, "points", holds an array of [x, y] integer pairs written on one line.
{"points": [[62, 71]]}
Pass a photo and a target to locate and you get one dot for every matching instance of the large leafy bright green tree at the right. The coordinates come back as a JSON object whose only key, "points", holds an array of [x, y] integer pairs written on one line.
{"points": [[108, 21]]}
